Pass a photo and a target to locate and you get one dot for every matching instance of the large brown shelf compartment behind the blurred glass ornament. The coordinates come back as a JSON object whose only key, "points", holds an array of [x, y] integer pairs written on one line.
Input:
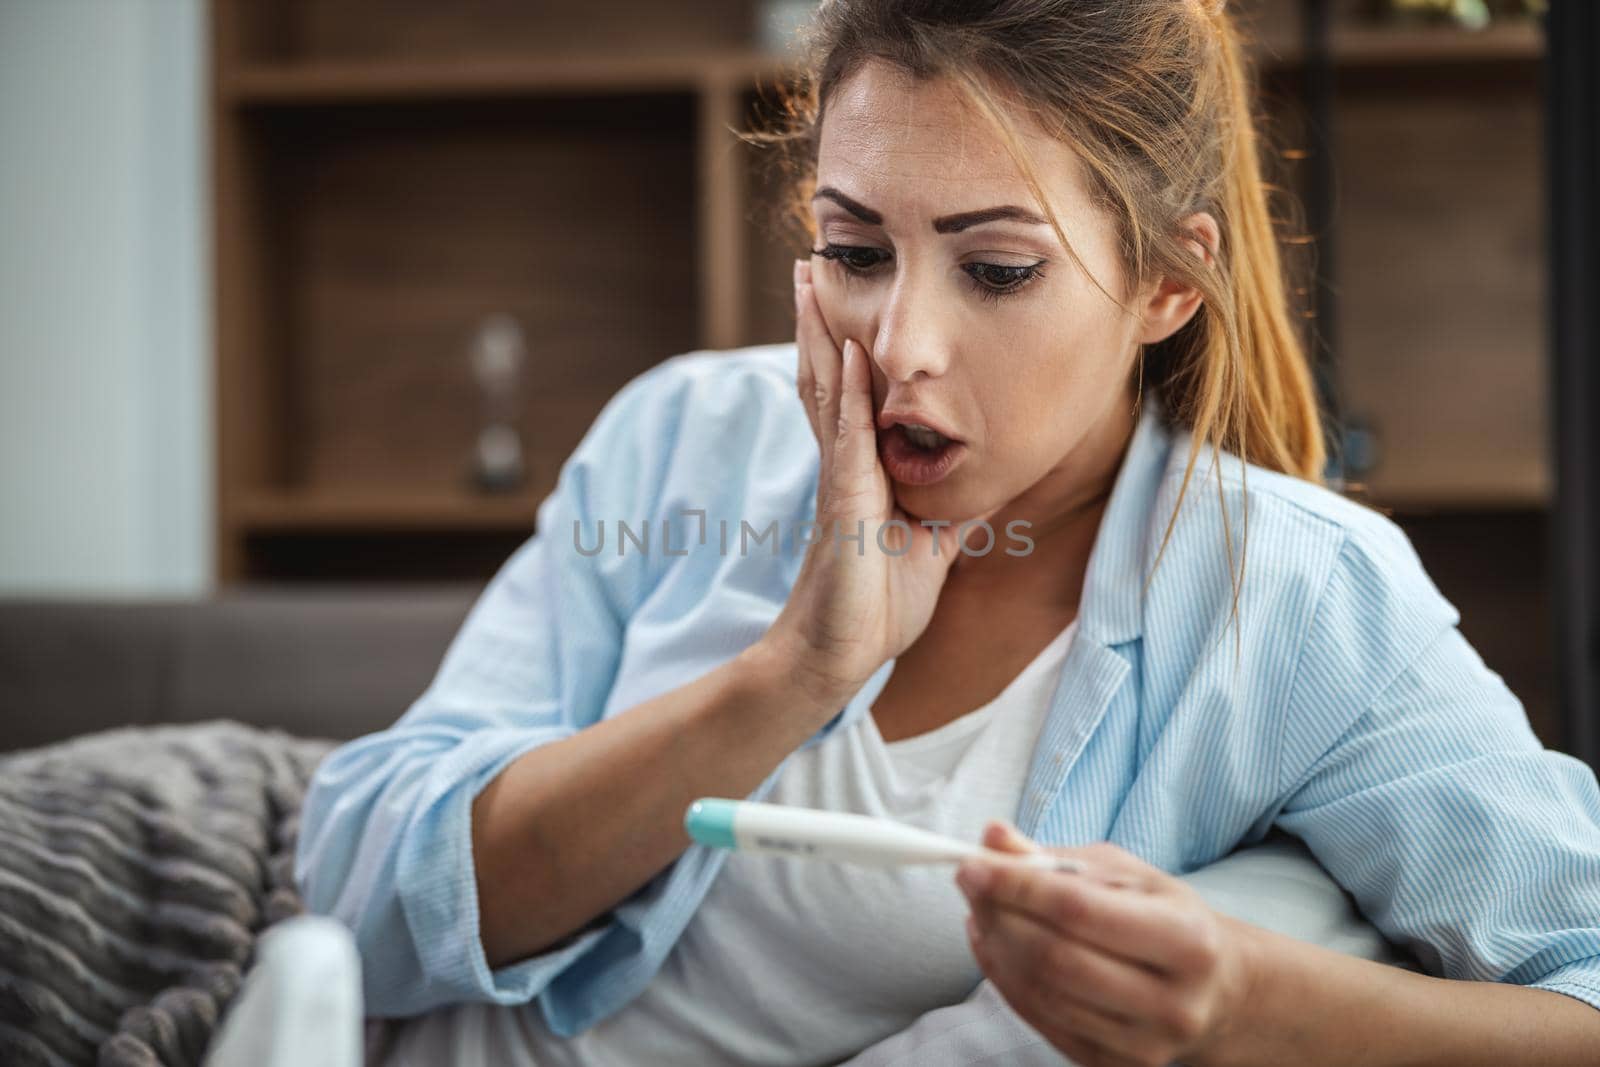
{"points": [[399, 231]]}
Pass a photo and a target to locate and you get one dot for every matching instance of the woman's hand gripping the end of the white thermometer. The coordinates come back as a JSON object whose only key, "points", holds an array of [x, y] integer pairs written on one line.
{"points": [[1118, 965]]}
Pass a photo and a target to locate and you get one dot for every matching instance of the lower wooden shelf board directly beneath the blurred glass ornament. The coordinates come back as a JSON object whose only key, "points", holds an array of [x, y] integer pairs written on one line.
{"points": [[329, 513]]}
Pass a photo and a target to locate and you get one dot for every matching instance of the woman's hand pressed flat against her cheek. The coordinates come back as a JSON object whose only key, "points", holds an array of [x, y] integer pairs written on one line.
{"points": [[857, 602]]}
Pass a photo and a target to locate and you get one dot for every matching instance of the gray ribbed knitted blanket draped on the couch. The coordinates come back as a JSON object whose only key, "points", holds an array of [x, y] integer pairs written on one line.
{"points": [[137, 868]]}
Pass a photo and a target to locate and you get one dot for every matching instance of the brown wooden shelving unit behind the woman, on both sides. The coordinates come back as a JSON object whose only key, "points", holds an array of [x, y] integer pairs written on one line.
{"points": [[386, 175]]}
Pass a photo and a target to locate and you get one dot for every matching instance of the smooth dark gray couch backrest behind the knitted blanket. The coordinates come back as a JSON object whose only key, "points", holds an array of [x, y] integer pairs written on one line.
{"points": [[314, 663]]}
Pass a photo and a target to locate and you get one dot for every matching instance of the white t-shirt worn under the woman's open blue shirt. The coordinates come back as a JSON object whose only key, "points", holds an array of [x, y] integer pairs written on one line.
{"points": [[802, 962]]}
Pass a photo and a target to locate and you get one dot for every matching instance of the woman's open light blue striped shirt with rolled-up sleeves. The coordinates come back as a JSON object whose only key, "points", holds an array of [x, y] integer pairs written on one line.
{"points": [[1343, 706]]}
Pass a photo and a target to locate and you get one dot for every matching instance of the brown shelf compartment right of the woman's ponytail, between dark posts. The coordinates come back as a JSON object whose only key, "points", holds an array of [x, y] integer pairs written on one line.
{"points": [[1449, 369]]}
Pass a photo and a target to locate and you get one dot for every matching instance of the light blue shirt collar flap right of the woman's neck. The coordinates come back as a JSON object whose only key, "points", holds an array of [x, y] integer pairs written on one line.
{"points": [[1113, 602]]}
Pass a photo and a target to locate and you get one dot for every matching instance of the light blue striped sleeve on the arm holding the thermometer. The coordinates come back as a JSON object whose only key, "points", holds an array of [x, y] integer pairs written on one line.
{"points": [[1414, 777]]}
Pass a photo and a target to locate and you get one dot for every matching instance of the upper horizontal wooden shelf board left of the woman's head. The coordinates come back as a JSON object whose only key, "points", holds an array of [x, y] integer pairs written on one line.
{"points": [[324, 82]]}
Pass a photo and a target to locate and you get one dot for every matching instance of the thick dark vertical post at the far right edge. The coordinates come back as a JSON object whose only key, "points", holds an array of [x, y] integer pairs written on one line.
{"points": [[1572, 92]]}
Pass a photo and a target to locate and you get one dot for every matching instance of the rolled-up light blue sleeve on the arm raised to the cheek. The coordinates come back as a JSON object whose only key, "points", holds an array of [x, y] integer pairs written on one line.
{"points": [[385, 837]]}
